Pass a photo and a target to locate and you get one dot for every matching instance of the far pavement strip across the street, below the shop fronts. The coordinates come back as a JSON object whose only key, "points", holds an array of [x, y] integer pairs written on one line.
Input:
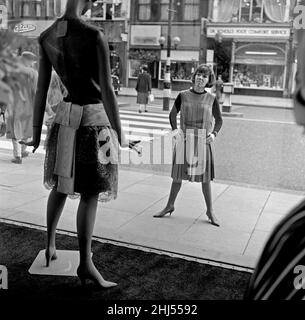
{"points": [[237, 100]]}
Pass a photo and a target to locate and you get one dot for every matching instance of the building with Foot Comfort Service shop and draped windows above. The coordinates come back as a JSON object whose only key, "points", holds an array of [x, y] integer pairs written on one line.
{"points": [[250, 42]]}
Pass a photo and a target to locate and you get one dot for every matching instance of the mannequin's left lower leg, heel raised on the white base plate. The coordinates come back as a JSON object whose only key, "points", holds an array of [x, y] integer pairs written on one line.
{"points": [[55, 207]]}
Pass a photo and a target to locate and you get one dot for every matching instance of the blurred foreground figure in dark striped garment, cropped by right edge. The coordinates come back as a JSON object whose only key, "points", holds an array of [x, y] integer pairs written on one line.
{"points": [[280, 271]]}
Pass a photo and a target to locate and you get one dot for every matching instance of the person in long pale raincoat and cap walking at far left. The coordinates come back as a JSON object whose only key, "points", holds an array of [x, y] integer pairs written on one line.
{"points": [[23, 81]]}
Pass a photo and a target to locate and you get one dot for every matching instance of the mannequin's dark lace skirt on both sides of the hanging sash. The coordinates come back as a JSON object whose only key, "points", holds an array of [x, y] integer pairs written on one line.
{"points": [[91, 176]]}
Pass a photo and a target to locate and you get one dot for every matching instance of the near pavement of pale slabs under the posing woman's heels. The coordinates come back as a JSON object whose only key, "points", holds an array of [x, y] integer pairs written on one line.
{"points": [[246, 214]]}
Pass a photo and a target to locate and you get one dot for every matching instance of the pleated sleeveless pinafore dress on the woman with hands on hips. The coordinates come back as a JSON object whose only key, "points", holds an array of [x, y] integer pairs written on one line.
{"points": [[193, 158]]}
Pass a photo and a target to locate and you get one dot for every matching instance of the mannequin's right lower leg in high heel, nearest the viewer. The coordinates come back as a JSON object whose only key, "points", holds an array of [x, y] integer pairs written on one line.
{"points": [[86, 214]]}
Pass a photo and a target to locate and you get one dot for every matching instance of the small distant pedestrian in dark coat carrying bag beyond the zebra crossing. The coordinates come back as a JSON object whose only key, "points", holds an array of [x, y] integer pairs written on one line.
{"points": [[143, 88]]}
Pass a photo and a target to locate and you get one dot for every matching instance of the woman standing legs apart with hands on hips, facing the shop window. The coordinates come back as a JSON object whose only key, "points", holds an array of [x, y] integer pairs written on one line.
{"points": [[197, 108]]}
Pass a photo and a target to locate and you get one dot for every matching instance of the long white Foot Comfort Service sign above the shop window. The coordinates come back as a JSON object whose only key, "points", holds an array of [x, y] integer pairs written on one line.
{"points": [[239, 32]]}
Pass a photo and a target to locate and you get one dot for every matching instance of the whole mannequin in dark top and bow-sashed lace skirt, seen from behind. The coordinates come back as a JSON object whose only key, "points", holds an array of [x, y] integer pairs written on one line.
{"points": [[84, 137]]}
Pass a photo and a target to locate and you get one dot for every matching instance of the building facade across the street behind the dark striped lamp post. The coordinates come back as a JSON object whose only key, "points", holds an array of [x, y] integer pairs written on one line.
{"points": [[149, 21]]}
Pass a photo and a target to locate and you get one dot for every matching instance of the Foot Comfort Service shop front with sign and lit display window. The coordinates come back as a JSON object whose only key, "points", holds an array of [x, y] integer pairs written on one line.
{"points": [[257, 60]]}
